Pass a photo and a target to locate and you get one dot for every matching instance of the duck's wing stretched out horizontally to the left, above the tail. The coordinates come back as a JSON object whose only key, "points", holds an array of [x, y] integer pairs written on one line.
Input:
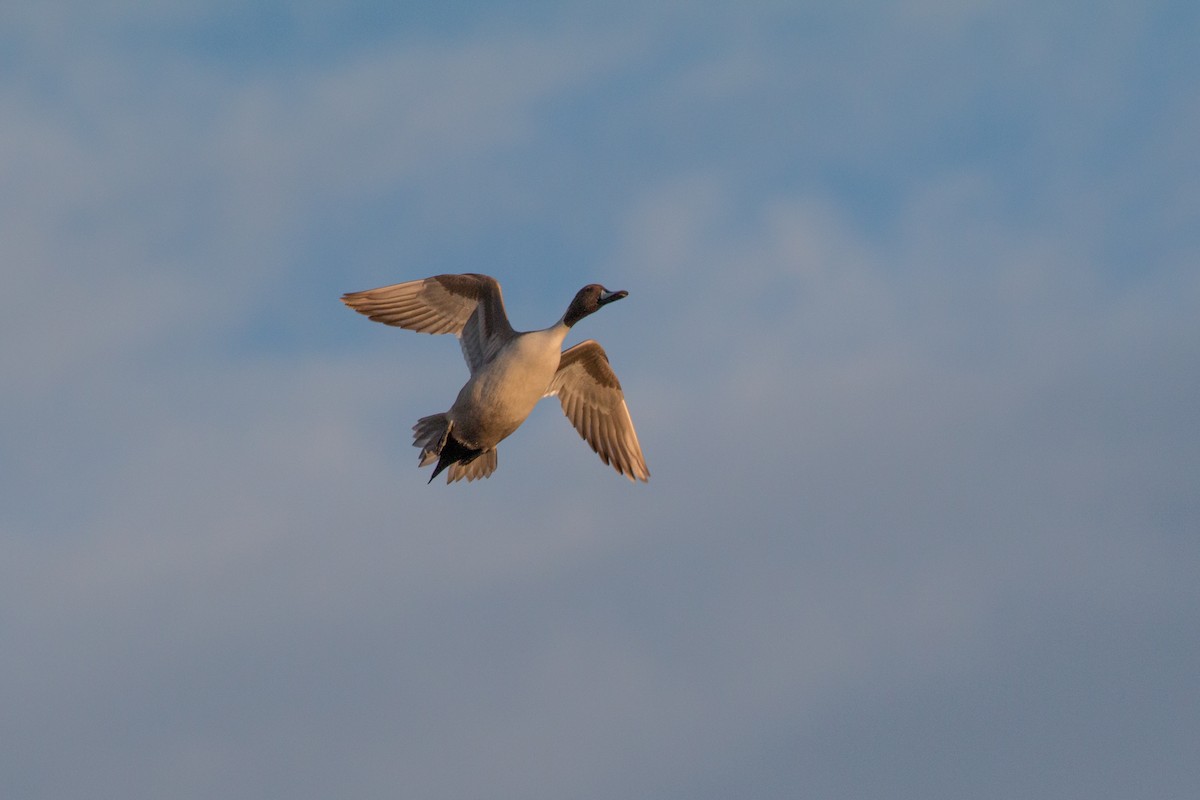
{"points": [[470, 306]]}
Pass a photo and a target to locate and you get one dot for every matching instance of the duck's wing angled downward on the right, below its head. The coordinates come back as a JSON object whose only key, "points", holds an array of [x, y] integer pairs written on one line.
{"points": [[592, 400]]}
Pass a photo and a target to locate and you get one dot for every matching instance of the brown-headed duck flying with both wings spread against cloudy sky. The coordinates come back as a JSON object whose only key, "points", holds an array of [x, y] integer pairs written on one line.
{"points": [[511, 372]]}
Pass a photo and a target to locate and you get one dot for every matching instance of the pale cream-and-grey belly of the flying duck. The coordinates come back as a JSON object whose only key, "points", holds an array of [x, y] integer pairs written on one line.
{"points": [[499, 399]]}
